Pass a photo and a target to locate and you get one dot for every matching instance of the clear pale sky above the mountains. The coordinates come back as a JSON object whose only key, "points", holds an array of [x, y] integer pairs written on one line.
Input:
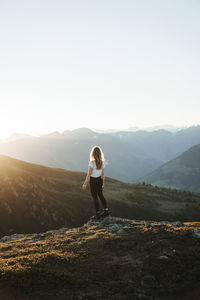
{"points": [[98, 64]]}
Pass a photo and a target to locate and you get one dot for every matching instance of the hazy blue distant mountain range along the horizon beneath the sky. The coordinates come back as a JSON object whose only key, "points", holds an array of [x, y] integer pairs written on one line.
{"points": [[130, 154]]}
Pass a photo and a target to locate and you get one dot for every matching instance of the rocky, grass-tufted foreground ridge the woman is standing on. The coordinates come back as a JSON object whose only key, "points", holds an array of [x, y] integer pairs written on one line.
{"points": [[111, 258]]}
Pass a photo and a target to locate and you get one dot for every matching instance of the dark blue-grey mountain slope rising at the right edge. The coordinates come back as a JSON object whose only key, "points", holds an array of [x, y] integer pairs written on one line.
{"points": [[182, 172]]}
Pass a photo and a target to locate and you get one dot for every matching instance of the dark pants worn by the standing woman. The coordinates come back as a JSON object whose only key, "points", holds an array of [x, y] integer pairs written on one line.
{"points": [[96, 189]]}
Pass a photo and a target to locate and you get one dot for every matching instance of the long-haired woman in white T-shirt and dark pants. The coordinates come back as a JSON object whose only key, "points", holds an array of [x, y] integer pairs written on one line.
{"points": [[95, 177]]}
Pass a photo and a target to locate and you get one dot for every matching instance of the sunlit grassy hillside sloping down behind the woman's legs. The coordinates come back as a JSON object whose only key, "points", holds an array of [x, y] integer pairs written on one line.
{"points": [[34, 198]]}
